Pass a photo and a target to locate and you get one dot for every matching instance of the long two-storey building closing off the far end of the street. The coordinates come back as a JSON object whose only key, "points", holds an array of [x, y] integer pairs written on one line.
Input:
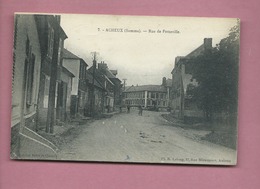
{"points": [[148, 96]]}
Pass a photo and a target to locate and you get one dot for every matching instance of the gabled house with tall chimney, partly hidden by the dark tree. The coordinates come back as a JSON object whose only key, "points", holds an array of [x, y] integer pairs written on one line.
{"points": [[182, 104]]}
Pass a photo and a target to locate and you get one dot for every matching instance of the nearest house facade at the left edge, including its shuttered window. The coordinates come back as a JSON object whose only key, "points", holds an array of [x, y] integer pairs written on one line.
{"points": [[26, 70]]}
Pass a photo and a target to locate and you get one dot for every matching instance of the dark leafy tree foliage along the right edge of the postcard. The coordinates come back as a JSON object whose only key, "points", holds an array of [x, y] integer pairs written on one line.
{"points": [[216, 72]]}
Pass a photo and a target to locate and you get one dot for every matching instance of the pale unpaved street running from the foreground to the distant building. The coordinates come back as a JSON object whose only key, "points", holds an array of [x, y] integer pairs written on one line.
{"points": [[128, 137]]}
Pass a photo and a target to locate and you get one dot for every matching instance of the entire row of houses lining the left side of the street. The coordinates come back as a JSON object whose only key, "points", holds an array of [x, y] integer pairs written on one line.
{"points": [[51, 85]]}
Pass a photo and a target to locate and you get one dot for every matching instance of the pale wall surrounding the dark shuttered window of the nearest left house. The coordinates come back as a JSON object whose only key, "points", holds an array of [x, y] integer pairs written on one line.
{"points": [[26, 27]]}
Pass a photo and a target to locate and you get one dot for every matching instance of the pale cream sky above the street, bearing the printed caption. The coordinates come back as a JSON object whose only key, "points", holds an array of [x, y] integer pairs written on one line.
{"points": [[126, 45]]}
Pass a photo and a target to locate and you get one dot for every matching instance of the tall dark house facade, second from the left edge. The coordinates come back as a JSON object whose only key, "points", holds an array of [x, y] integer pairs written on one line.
{"points": [[52, 39]]}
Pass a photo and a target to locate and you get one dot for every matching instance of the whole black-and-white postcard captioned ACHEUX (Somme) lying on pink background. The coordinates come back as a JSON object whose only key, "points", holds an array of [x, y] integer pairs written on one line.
{"points": [[139, 89]]}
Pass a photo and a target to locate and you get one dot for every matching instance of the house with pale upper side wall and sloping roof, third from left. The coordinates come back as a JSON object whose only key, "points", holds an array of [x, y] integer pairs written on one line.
{"points": [[79, 93]]}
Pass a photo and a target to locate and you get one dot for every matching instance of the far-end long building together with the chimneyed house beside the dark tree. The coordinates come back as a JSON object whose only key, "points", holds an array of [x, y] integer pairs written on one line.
{"points": [[172, 94]]}
